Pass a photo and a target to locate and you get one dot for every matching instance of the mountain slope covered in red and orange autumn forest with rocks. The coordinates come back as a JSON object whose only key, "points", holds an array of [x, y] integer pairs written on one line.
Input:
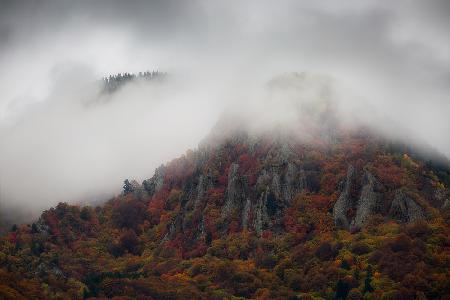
{"points": [[319, 211]]}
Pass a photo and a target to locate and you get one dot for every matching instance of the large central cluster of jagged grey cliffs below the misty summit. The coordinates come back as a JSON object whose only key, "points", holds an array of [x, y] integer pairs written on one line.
{"points": [[277, 184]]}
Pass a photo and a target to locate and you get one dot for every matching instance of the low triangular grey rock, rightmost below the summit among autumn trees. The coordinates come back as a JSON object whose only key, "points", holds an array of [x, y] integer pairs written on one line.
{"points": [[405, 209]]}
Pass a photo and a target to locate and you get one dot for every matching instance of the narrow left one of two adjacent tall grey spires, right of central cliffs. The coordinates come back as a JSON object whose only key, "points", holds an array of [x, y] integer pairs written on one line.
{"points": [[344, 202]]}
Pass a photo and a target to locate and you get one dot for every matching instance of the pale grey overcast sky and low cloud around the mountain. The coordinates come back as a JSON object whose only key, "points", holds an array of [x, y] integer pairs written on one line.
{"points": [[393, 54]]}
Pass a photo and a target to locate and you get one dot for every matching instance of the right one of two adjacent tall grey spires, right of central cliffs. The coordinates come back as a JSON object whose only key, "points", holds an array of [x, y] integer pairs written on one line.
{"points": [[368, 202]]}
